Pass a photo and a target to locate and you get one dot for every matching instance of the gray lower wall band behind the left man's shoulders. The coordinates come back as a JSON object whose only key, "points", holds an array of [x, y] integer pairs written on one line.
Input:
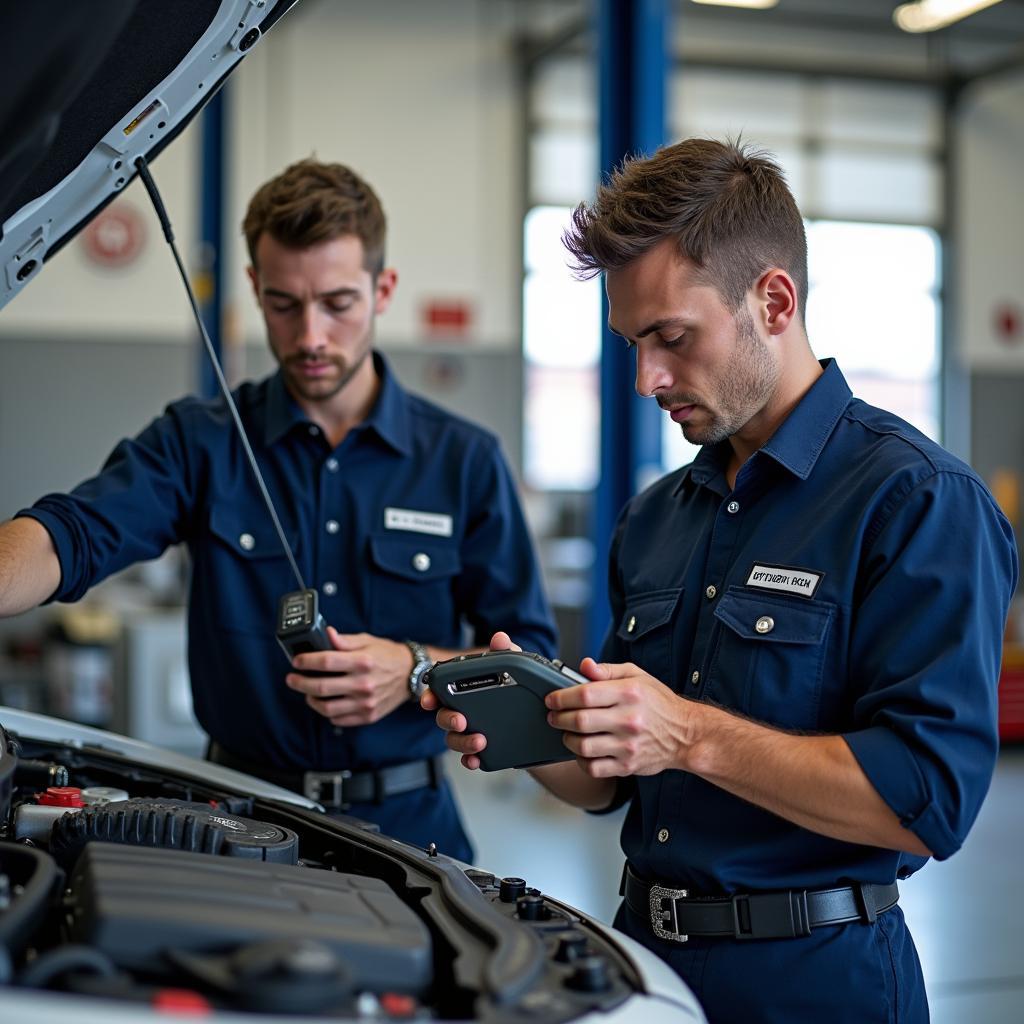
{"points": [[65, 404]]}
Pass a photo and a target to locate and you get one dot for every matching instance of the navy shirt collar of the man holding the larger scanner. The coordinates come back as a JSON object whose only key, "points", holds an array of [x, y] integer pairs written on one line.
{"points": [[798, 443]]}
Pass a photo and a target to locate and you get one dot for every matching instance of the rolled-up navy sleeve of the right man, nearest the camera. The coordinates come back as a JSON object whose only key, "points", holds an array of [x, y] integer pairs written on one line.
{"points": [[941, 570]]}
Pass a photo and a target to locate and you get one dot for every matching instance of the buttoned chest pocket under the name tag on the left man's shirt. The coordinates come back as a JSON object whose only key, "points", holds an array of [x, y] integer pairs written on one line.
{"points": [[412, 588]]}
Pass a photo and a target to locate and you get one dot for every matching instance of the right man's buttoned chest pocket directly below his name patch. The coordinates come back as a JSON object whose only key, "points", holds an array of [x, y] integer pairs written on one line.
{"points": [[770, 658]]}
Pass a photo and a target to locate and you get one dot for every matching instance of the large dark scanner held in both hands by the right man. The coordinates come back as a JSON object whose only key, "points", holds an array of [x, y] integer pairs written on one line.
{"points": [[502, 693]]}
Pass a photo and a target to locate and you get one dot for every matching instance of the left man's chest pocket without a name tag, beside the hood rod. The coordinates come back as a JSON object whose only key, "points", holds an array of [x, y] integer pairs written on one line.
{"points": [[247, 567]]}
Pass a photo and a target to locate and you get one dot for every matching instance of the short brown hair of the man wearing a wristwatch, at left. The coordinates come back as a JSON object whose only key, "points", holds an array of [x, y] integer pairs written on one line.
{"points": [[310, 203]]}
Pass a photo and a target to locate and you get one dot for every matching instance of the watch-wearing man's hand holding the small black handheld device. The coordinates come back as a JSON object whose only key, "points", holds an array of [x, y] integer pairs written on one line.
{"points": [[369, 678]]}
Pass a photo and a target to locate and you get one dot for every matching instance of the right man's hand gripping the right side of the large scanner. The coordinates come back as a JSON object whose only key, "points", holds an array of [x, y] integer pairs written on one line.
{"points": [[626, 722]]}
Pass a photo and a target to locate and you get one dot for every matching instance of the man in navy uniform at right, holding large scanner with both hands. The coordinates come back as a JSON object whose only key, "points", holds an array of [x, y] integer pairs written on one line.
{"points": [[798, 693]]}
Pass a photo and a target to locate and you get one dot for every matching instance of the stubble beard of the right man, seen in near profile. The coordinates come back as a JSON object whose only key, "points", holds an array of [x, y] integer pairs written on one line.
{"points": [[741, 392]]}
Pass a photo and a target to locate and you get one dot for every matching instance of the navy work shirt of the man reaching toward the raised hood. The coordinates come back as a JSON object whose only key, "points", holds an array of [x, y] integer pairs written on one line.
{"points": [[411, 529]]}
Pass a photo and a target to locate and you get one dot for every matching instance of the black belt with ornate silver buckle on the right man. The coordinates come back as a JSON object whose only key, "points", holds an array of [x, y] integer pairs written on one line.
{"points": [[675, 915]]}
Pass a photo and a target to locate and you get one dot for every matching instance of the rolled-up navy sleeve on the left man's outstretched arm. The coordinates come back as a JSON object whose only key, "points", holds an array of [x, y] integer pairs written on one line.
{"points": [[132, 511]]}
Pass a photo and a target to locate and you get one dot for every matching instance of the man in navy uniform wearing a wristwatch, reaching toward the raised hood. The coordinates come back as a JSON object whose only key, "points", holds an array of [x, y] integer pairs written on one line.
{"points": [[404, 517]]}
